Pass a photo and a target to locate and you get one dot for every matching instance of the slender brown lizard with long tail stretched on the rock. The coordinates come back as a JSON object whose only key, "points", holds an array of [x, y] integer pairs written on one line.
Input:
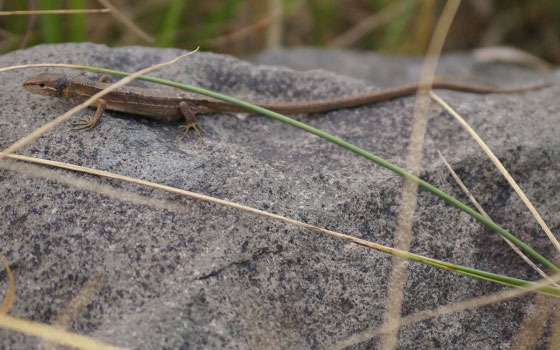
{"points": [[168, 106]]}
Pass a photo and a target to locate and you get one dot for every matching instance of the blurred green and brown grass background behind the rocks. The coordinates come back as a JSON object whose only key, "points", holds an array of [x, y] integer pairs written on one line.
{"points": [[240, 27]]}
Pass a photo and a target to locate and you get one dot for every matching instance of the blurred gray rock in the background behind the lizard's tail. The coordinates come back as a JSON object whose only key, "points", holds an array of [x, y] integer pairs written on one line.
{"points": [[390, 70]]}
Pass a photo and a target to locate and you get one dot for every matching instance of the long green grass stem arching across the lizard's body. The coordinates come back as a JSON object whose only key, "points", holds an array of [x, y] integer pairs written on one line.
{"points": [[449, 199]]}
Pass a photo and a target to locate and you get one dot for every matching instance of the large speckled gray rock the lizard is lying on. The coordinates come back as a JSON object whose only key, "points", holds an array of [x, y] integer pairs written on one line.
{"points": [[185, 274]]}
